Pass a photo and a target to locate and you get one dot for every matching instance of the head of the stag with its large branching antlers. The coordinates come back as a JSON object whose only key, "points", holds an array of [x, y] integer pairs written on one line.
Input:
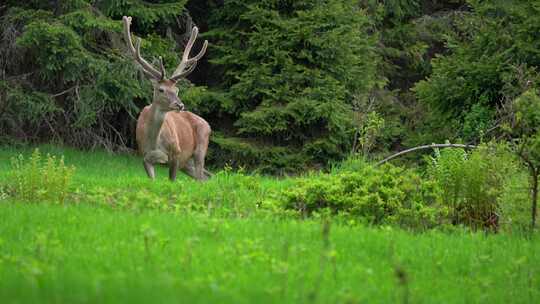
{"points": [[165, 90]]}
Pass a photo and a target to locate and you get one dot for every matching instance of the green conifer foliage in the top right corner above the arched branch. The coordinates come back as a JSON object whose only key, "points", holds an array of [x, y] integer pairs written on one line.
{"points": [[479, 69]]}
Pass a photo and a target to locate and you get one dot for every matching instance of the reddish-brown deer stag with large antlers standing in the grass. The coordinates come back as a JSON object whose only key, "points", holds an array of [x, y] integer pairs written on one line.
{"points": [[165, 132]]}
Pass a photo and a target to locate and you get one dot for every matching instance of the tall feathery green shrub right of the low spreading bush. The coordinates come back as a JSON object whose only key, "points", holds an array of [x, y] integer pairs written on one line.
{"points": [[473, 183]]}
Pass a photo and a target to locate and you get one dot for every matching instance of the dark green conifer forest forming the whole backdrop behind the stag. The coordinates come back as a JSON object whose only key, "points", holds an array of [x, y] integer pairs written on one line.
{"points": [[286, 85]]}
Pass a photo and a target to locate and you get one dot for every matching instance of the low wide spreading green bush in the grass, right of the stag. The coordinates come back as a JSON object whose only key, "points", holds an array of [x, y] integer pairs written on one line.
{"points": [[382, 195]]}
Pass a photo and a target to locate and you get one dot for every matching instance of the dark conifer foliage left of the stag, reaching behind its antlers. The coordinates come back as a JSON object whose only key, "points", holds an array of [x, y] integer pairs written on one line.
{"points": [[68, 78]]}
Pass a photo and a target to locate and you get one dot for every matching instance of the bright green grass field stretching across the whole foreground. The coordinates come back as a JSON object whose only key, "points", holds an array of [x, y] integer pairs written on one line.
{"points": [[216, 242]]}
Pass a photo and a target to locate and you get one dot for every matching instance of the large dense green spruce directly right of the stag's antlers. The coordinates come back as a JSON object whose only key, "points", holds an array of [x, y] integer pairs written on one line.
{"points": [[288, 70]]}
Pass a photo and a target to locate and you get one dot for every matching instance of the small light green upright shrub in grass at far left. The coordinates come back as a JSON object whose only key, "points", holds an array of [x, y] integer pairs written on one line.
{"points": [[38, 179]]}
